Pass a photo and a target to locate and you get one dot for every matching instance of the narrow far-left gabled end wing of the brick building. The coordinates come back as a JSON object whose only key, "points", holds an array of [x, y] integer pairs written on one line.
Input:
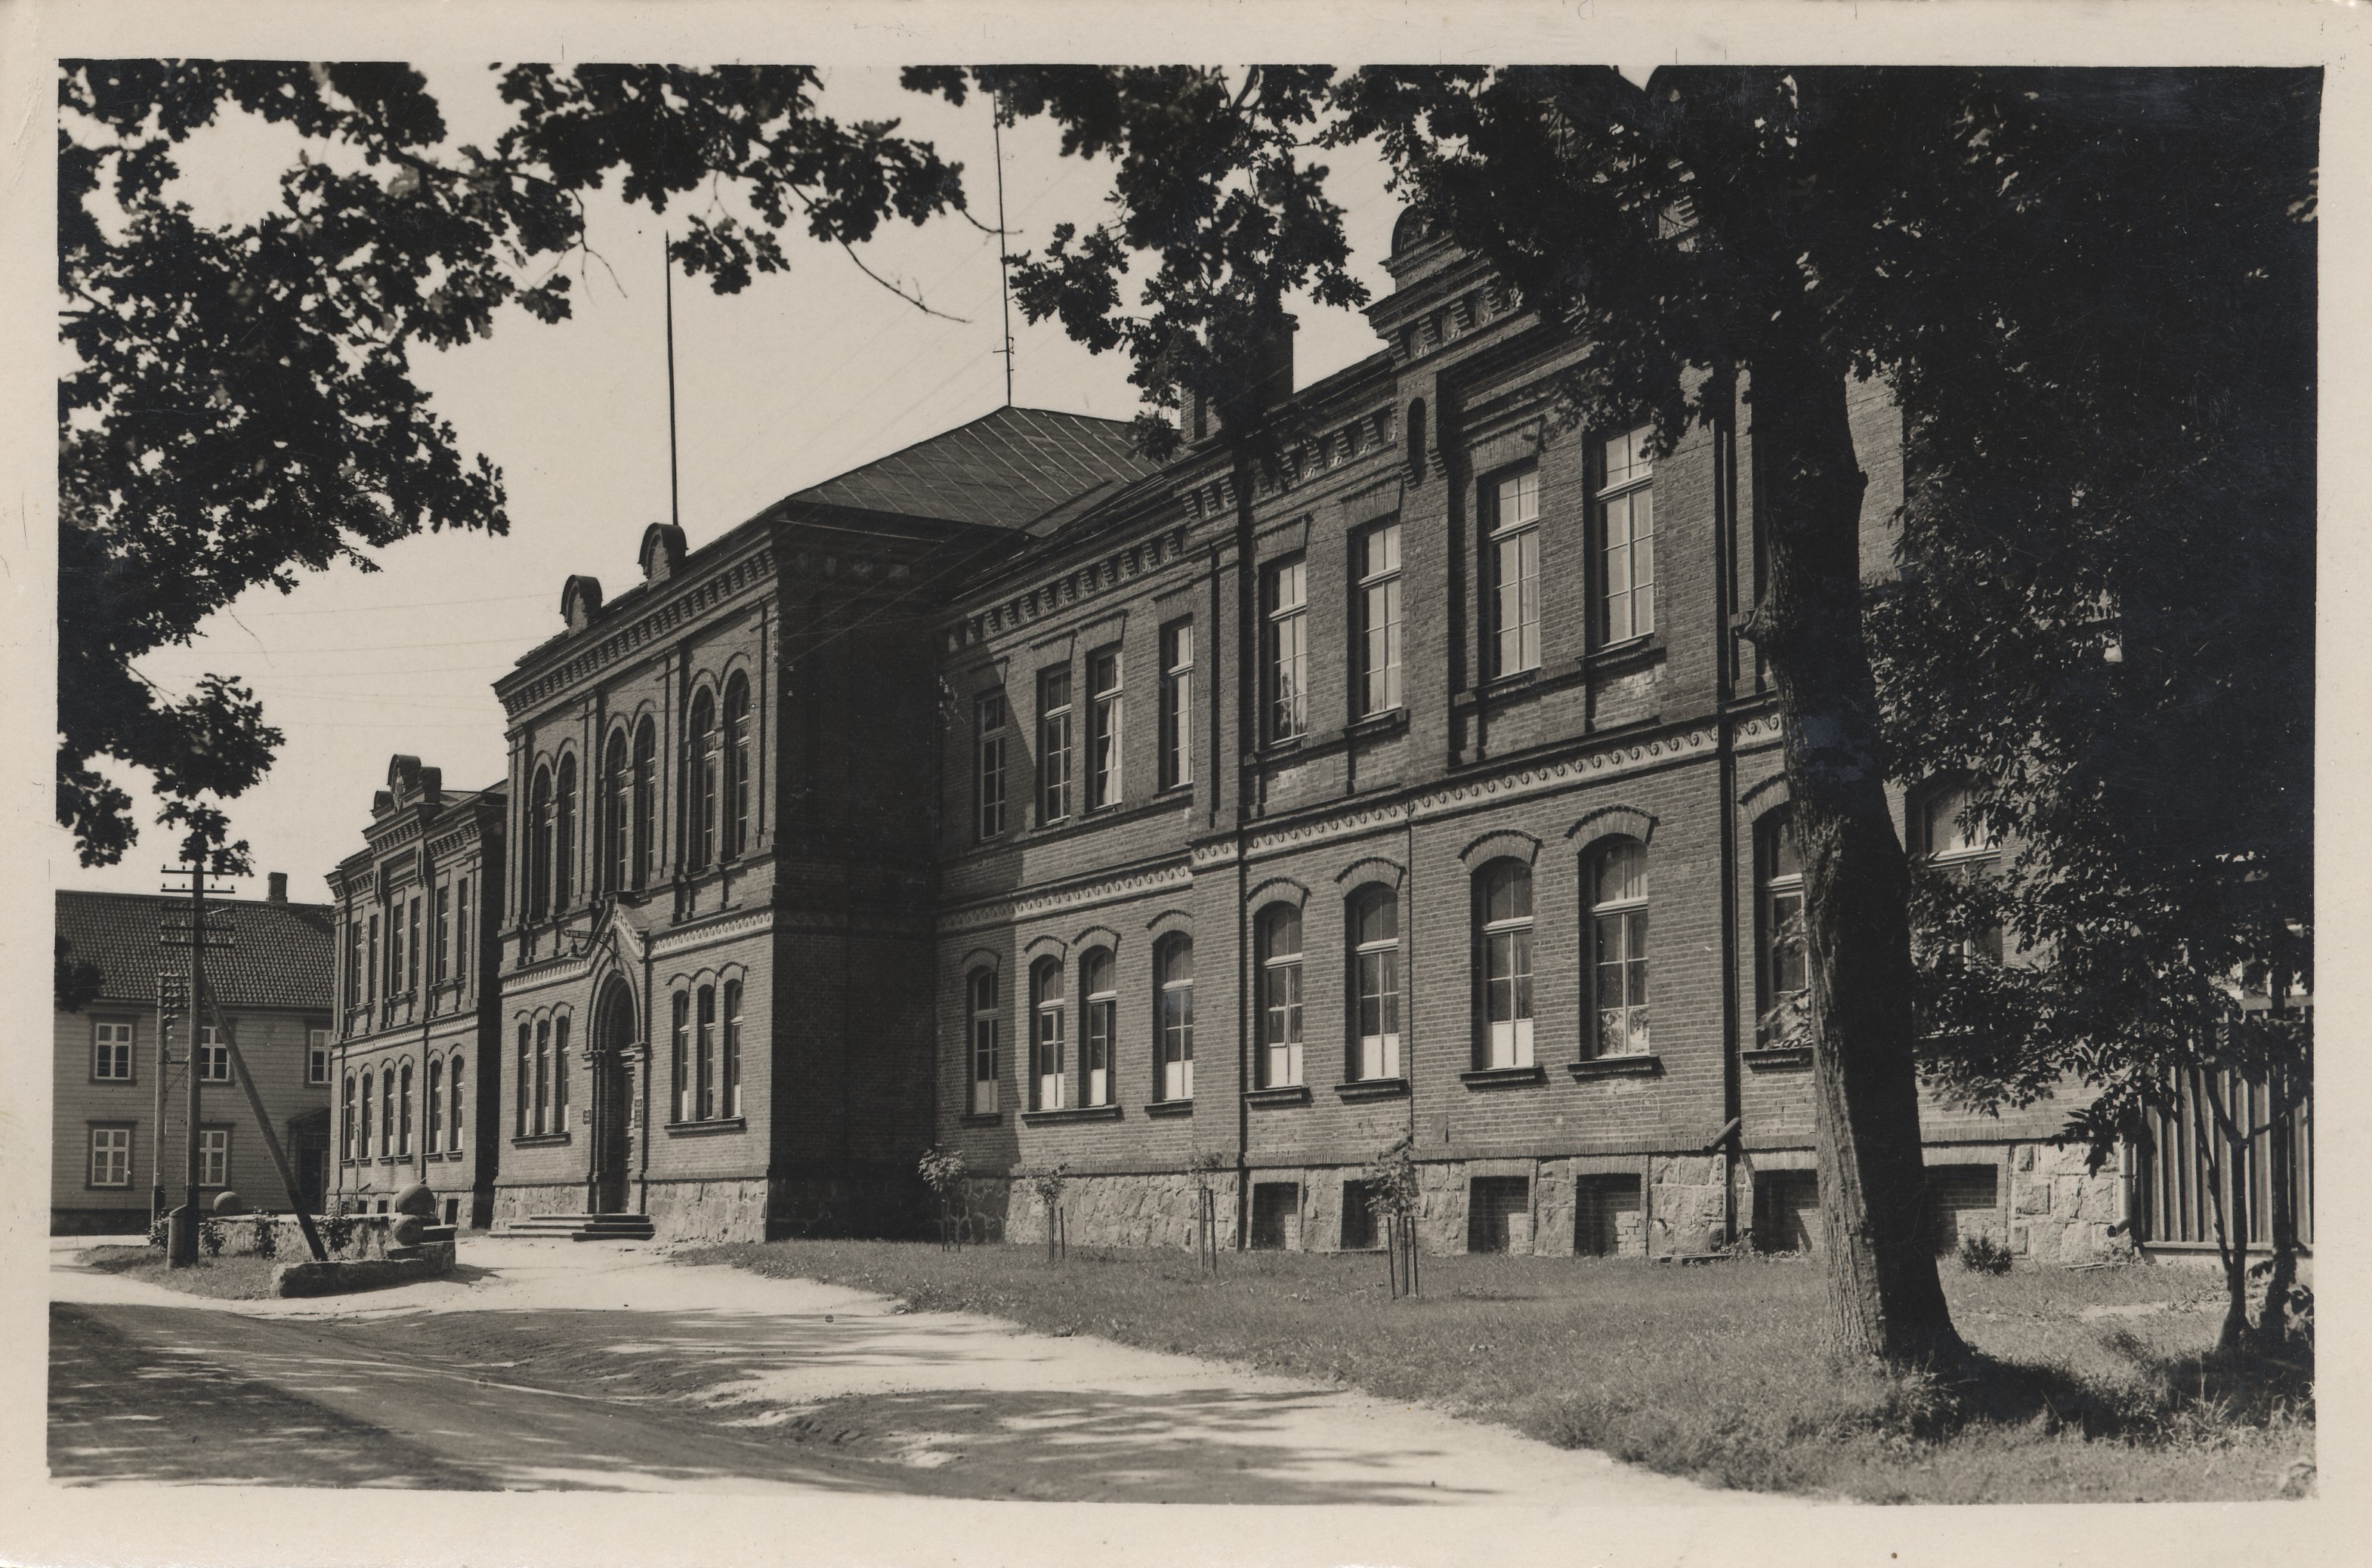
{"points": [[419, 1026]]}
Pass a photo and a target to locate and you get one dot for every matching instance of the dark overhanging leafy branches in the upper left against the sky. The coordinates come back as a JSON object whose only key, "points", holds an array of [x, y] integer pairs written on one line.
{"points": [[243, 404]]}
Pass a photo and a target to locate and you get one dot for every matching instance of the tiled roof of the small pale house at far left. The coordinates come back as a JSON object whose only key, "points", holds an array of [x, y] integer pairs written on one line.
{"points": [[281, 957]]}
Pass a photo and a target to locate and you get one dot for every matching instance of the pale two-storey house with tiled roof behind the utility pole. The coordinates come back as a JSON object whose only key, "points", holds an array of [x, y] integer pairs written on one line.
{"points": [[120, 1111]]}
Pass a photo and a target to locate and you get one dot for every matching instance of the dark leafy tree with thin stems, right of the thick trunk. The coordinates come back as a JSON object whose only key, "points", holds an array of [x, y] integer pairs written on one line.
{"points": [[2108, 554]]}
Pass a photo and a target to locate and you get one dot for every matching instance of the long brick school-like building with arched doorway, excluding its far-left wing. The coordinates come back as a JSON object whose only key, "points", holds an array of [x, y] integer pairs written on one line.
{"points": [[1009, 796]]}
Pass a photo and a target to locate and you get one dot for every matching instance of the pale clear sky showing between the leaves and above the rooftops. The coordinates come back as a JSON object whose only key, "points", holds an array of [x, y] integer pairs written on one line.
{"points": [[798, 378]]}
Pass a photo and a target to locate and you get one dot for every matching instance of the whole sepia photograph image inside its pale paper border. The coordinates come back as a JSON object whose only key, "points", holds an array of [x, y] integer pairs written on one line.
{"points": [[1557, 786]]}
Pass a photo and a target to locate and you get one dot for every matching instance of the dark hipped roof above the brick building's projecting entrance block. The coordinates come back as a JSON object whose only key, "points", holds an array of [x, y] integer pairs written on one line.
{"points": [[1002, 471]]}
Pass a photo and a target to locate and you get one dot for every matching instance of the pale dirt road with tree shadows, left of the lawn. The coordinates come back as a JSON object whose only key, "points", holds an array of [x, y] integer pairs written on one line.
{"points": [[556, 1365]]}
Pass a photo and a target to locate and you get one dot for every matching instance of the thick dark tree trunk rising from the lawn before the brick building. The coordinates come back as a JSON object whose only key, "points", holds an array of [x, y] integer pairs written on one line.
{"points": [[1885, 1292]]}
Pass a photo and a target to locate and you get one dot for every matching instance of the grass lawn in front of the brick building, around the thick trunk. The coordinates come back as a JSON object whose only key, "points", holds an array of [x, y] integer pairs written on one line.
{"points": [[2098, 1384]]}
